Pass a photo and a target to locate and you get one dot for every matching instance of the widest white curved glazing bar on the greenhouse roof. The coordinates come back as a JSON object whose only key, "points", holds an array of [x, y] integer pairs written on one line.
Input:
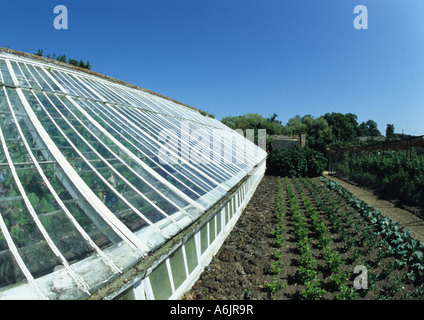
{"points": [[84, 190]]}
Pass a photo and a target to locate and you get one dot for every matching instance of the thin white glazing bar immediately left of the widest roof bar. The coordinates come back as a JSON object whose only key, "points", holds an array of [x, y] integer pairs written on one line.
{"points": [[104, 258]]}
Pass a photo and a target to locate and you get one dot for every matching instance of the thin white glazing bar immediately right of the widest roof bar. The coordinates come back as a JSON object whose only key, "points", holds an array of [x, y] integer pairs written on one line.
{"points": [[98, 174]]}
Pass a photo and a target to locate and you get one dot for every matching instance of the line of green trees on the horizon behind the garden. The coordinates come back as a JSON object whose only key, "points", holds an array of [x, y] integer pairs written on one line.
{"points": [[332, 130]]}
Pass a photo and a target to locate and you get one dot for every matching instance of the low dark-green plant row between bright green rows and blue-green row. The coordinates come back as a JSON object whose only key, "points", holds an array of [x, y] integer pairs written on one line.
{"points": [[365, 245]]}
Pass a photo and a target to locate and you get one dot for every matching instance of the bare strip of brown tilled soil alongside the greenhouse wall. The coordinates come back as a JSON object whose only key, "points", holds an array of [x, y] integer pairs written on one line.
{"points": [[238, 270]]}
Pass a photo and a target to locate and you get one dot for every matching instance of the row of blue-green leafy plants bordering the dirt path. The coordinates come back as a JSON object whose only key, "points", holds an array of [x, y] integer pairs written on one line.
{"points": [[405, 263]]}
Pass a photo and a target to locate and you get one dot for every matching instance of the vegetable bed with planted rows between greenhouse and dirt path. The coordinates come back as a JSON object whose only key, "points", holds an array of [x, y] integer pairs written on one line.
{"points": [[303, 238]]}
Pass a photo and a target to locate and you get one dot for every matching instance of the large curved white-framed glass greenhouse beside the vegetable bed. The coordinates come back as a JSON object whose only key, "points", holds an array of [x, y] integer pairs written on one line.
{"points": [[109, 190]]}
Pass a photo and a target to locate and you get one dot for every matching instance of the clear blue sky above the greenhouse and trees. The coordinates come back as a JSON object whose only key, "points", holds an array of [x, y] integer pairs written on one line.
{"points": [[231, 57]]}
